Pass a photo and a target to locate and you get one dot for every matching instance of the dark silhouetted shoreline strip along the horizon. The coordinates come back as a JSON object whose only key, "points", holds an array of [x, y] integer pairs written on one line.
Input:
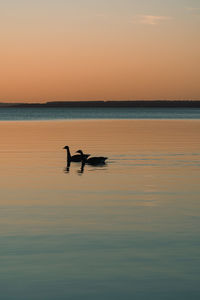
{"points": [[108, 104]]}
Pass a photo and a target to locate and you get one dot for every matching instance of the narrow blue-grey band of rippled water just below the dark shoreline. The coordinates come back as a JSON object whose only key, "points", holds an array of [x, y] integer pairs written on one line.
{"points": [[97, 113]]}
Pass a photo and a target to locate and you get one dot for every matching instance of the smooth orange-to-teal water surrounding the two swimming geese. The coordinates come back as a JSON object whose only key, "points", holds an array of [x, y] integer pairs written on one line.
{"points": [[128, 230]]}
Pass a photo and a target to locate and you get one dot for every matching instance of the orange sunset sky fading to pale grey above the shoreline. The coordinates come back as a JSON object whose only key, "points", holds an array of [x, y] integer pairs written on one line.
{"points": [[99, 50]]}
